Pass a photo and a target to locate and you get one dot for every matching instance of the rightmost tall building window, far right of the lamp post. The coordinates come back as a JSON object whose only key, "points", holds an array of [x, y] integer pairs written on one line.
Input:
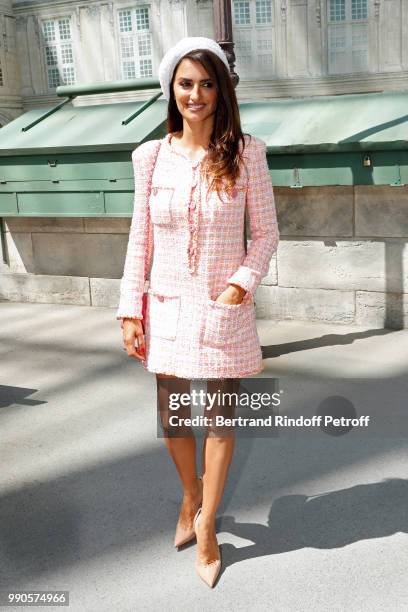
{"points": [[348, 36]]}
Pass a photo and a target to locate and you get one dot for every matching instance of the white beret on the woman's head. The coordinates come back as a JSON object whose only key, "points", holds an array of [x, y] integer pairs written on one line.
{"points": [[174, 54]]}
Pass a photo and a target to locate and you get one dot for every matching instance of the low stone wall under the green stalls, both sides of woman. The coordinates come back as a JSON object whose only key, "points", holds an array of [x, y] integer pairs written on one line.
{"points": [[343, 258]]}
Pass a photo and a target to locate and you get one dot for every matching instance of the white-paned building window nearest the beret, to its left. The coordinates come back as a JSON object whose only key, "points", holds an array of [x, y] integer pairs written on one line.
{"points": [[135, 42]]}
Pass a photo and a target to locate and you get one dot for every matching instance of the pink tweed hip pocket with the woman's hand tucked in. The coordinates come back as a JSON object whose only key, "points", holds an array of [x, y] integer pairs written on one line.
{"points": [[227, 323]]}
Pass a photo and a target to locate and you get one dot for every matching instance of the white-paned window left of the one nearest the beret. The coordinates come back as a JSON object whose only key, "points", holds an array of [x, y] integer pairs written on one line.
{"points": [[59, 58]]}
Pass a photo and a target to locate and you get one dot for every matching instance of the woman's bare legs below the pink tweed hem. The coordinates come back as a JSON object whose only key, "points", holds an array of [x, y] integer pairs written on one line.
{"points": [[218, 449]]}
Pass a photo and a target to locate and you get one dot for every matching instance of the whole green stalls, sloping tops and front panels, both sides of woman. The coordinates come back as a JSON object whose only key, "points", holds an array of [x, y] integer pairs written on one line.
{"points": [[76, 161]]}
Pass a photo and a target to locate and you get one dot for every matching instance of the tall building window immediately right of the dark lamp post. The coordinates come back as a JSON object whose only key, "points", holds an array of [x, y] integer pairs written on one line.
{"points": [[254, 37]]}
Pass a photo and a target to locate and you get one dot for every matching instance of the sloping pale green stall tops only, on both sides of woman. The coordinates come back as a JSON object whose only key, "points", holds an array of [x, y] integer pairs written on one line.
{"points": [[355, 122]]}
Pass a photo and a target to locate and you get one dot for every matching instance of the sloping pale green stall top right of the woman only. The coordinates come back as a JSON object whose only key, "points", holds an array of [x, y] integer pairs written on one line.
{"points": [[355, 122]]}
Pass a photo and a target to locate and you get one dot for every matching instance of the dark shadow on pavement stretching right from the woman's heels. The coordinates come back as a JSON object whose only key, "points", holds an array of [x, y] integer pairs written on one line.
{"points": [[326, 521]]}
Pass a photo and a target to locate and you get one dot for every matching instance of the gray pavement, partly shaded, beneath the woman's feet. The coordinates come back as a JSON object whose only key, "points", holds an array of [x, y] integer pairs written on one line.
{"points": [[90, 497]]}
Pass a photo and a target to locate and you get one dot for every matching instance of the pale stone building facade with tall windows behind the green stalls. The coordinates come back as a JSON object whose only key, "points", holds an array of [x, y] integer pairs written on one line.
{"points": [[284, 48]]}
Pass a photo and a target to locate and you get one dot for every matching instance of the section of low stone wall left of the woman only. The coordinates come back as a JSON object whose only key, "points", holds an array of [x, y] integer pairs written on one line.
{"points": [[64, 260]]}
